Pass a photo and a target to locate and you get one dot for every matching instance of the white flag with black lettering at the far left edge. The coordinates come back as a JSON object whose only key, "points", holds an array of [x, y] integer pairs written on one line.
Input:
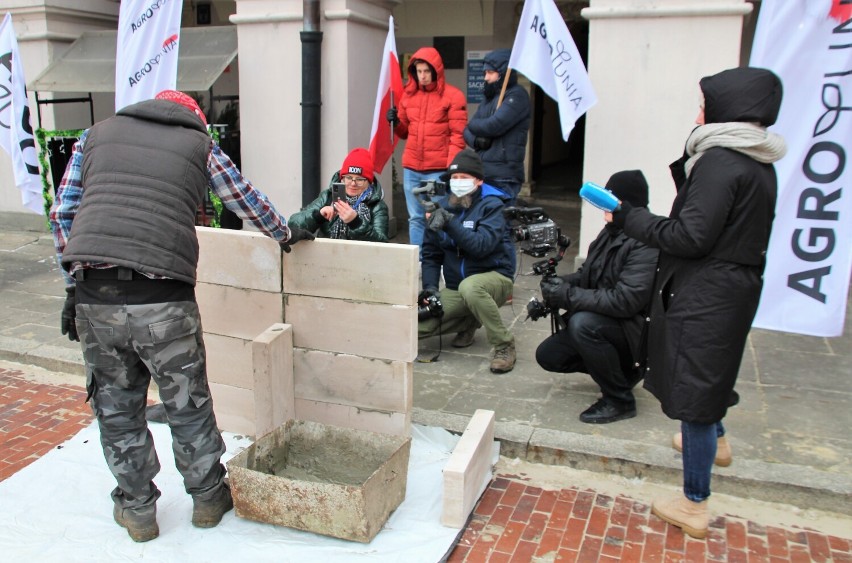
{"points": [[16, 133]]}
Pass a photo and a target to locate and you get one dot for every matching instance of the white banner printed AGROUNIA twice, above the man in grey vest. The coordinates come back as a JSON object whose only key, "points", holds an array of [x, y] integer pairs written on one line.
{"points": [[147, 49]]}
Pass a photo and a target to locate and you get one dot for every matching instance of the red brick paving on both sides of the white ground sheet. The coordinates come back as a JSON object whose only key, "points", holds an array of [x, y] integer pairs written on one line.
{"points": [[514, 521]]}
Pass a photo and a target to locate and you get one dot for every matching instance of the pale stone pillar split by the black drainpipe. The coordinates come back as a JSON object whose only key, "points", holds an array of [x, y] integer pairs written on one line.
{"points": [[354, 34]]}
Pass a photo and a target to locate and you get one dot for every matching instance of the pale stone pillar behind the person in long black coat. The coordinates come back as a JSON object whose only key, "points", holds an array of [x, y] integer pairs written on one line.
{"points": [[645, 61]]}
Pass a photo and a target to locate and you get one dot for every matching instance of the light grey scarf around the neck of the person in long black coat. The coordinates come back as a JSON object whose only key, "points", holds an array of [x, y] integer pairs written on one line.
{"points": [[747, 138]]}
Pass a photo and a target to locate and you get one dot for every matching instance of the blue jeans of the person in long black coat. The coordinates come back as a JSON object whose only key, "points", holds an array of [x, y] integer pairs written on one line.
{"points": [[699, 451]]}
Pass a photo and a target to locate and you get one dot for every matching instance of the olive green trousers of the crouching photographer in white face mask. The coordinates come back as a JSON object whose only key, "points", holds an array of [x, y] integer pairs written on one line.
{"points": [[476, 303]]}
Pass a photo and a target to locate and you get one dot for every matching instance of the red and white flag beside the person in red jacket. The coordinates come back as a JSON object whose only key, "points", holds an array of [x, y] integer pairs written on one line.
{"points": [[382, 139]]}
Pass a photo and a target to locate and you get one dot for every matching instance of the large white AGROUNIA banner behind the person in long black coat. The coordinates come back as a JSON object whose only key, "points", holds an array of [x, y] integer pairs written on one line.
{"points": [[808, 43]]}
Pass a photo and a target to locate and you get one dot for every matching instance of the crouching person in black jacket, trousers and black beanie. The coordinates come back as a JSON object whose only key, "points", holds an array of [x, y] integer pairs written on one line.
{"points": [[605, 302]]}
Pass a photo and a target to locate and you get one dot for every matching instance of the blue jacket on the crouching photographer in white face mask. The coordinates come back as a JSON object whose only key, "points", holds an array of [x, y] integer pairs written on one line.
{"points": [[475, 241]]}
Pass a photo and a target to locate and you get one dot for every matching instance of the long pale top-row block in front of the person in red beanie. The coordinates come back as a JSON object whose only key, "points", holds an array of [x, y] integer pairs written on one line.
{"points": [[356, 270]]}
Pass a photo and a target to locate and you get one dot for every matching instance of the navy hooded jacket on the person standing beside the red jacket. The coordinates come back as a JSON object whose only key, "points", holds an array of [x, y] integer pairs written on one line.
{"points": [[506, 126]]}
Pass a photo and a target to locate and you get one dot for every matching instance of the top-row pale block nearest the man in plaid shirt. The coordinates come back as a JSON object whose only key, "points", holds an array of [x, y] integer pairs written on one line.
{"points": [[239, 258]]}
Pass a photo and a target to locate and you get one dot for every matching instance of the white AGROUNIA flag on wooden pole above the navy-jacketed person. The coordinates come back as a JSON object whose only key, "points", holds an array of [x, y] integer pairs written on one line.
{"points": [[545, 52]]}
